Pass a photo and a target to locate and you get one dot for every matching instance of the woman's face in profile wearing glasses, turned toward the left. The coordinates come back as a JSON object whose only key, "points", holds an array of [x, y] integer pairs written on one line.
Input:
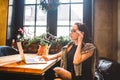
{"points": [[73, 33]]}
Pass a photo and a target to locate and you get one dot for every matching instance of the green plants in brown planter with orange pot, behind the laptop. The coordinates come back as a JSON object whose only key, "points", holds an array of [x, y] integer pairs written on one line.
{"points": [[38, 44]]}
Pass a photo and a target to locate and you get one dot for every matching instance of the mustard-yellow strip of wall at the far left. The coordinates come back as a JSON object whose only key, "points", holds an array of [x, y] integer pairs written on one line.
{"points": [[3, 21]]}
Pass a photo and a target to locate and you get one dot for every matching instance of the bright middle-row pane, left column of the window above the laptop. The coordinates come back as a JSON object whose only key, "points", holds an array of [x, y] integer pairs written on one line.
{"points": [[29, 15]]}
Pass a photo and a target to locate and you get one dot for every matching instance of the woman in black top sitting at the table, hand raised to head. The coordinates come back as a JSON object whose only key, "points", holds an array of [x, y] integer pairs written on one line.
{"points": [[77, 58]]}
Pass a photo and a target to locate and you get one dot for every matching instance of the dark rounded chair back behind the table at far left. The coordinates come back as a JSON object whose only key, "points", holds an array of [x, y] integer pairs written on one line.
{"points": [[7, 50]]}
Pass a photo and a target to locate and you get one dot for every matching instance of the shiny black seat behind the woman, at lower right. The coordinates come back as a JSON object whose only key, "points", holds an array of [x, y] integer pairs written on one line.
{"points": [[109, 69]]}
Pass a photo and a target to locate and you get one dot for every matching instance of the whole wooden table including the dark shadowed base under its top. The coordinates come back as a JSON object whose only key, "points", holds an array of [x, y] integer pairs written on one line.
{"points": [[11, 68]]}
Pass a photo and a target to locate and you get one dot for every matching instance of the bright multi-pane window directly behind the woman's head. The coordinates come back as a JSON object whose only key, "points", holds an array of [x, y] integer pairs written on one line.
{"points": [[69, 12]]}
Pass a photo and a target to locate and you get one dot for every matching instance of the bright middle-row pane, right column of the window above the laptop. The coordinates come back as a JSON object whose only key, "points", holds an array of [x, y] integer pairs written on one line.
{"points": [[41, 17]]}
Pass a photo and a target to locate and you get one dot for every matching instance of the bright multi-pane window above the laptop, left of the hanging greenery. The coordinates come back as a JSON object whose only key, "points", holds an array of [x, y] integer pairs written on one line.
{"points": [[34, 18]]}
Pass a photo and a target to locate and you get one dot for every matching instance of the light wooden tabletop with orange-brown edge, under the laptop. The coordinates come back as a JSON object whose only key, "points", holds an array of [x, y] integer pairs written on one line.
{"points": [[12, 64]]}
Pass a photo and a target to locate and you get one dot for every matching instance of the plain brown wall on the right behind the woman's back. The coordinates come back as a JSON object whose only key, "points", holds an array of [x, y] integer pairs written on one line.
{"points": [[105, 28]]}
